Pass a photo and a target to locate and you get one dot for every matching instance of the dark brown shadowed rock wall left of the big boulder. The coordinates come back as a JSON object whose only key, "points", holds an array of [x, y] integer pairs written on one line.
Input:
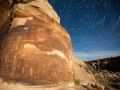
{"points": [[5, 14]]}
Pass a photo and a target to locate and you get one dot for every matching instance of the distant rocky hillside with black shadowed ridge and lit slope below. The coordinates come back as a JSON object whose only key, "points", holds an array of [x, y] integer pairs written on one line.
{"points": [[107, 71]]}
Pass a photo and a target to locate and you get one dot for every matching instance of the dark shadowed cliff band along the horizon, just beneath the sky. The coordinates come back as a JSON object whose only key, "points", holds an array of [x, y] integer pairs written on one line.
{"points": [[110, 64]]}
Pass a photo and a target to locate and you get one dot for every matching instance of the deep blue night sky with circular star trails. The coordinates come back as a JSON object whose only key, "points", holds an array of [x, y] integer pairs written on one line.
{"points": [[93, 25]]}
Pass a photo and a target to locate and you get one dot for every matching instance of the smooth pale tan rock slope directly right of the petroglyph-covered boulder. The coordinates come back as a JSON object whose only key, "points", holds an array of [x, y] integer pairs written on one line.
{"points": [[82, 72]]}
